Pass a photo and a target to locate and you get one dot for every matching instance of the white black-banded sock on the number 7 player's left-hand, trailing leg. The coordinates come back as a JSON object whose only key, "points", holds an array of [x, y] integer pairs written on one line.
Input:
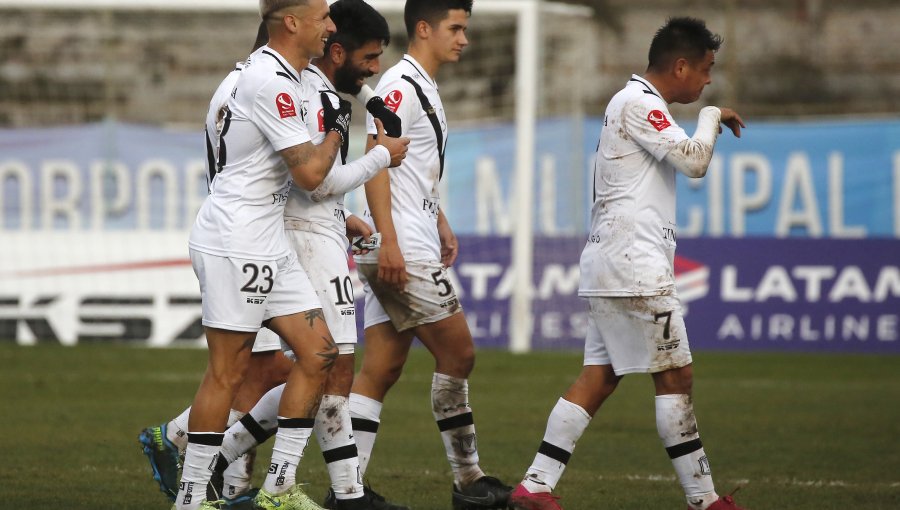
{"points": [[564, 427]]}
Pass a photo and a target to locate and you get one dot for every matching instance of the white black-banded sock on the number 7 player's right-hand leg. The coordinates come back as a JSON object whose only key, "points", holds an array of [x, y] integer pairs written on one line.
{"points": [[677, 428]]}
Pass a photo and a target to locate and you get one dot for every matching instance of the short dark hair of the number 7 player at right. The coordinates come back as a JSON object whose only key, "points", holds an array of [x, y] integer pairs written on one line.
{"points": [[681, 38]]}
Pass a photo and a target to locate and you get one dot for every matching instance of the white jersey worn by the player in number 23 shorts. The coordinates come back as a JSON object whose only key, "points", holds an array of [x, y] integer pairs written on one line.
{"points": [[243, 216]]}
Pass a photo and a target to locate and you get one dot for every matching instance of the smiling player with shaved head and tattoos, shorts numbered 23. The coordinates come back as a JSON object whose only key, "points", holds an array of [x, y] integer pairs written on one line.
{"points": [[247, 271]]}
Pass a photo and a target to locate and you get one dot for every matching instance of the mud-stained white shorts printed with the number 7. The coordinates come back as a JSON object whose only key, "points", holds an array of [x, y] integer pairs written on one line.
{"points": [[637, 334]]}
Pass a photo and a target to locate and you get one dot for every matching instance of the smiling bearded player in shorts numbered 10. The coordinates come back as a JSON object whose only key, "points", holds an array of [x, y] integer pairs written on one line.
{"points": [[315, 223]]}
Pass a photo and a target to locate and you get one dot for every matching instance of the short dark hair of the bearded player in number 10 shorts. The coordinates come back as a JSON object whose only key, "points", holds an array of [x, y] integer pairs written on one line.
{"points": [[357, 23]]}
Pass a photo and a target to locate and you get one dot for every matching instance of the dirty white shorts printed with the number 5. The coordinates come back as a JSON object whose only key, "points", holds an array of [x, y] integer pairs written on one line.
{"points": [[428, 297]]}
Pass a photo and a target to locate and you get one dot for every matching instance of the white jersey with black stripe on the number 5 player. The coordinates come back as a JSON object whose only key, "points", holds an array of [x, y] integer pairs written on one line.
{"points": [[415, 201]]}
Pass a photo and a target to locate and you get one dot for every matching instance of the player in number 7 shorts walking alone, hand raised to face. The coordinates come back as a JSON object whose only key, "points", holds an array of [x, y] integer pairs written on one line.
{"points": [[627, 274]]}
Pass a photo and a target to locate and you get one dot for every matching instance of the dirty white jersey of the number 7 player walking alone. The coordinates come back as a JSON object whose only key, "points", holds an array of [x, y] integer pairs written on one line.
{"points": [[631, 248]]}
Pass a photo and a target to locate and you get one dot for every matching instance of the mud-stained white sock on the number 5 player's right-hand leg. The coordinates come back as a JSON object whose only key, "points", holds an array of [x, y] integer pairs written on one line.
{"points": [[450, 406]]}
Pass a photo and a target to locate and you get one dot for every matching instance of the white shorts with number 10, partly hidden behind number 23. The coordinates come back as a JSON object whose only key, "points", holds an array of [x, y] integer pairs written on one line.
{"points": [[325, 261]]}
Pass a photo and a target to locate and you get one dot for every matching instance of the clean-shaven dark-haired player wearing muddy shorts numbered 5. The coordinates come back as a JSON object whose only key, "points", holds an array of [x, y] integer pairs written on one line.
{"points": [[408, 293]]}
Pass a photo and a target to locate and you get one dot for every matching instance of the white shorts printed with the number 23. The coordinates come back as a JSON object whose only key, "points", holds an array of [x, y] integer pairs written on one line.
{"points": [[239, 294]]}
